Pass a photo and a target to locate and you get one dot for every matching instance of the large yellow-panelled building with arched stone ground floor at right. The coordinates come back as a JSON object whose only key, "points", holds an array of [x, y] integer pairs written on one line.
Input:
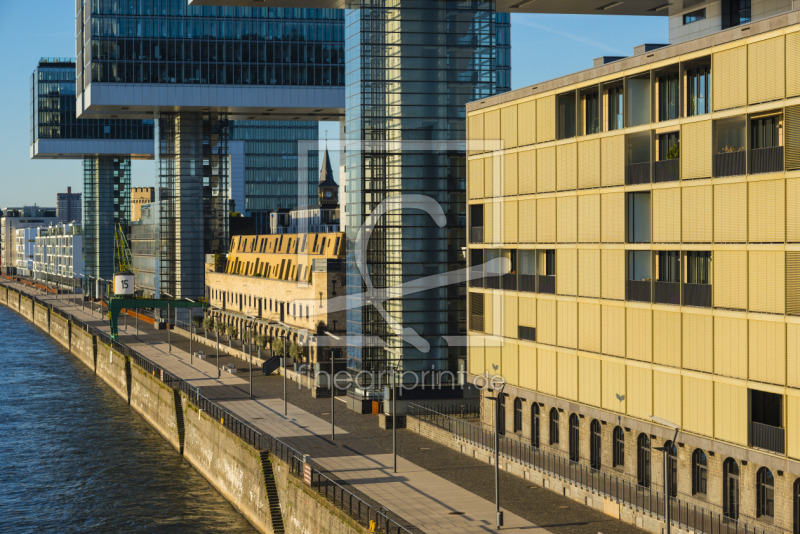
{"points": [[649, 209]]}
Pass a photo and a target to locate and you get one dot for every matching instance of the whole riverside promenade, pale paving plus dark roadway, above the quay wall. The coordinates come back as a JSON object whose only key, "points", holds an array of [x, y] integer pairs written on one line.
{"points": [[416, 494]]}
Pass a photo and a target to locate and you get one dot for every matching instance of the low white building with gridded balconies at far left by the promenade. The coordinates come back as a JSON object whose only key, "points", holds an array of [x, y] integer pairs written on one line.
{"points": [[52, 254]]}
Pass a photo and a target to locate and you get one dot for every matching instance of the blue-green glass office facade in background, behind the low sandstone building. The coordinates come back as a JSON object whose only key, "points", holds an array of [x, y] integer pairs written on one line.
{"points": [[272, 150]]}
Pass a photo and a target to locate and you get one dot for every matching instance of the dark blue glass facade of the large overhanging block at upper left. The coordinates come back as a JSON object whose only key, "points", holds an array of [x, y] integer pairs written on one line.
{"points": [[167, 41]]}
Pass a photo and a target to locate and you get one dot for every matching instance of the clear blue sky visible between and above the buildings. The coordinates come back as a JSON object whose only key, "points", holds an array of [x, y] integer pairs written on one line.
{"points": [[543, 47]]}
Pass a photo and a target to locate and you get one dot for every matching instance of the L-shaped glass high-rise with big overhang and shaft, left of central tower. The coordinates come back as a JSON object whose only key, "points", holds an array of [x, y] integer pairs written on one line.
{"points": [[198, 69]]}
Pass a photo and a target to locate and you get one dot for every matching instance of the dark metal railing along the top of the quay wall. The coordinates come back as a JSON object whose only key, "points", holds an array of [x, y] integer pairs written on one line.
{"points": [[356, 504]]}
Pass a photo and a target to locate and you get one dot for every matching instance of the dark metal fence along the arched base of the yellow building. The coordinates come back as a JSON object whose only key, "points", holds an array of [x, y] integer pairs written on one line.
{"points": [[645, 500]]}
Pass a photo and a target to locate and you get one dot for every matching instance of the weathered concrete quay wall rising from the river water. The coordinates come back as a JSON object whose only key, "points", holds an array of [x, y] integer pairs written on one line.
{"points": [[228, 463]]}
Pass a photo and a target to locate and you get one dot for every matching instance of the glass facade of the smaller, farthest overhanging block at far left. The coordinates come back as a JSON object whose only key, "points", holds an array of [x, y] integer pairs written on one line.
{"points": [[53, 108]]}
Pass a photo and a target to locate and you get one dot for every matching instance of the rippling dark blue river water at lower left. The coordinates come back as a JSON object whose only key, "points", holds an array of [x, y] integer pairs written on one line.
{"points": [[75, 458]]}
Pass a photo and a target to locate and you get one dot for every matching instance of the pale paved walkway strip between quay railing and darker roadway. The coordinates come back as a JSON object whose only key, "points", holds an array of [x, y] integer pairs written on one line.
{"points": [[426, 500]]}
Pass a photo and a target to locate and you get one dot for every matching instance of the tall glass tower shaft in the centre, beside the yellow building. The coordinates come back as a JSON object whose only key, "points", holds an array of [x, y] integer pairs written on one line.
{"points": [[412, 66]]}
